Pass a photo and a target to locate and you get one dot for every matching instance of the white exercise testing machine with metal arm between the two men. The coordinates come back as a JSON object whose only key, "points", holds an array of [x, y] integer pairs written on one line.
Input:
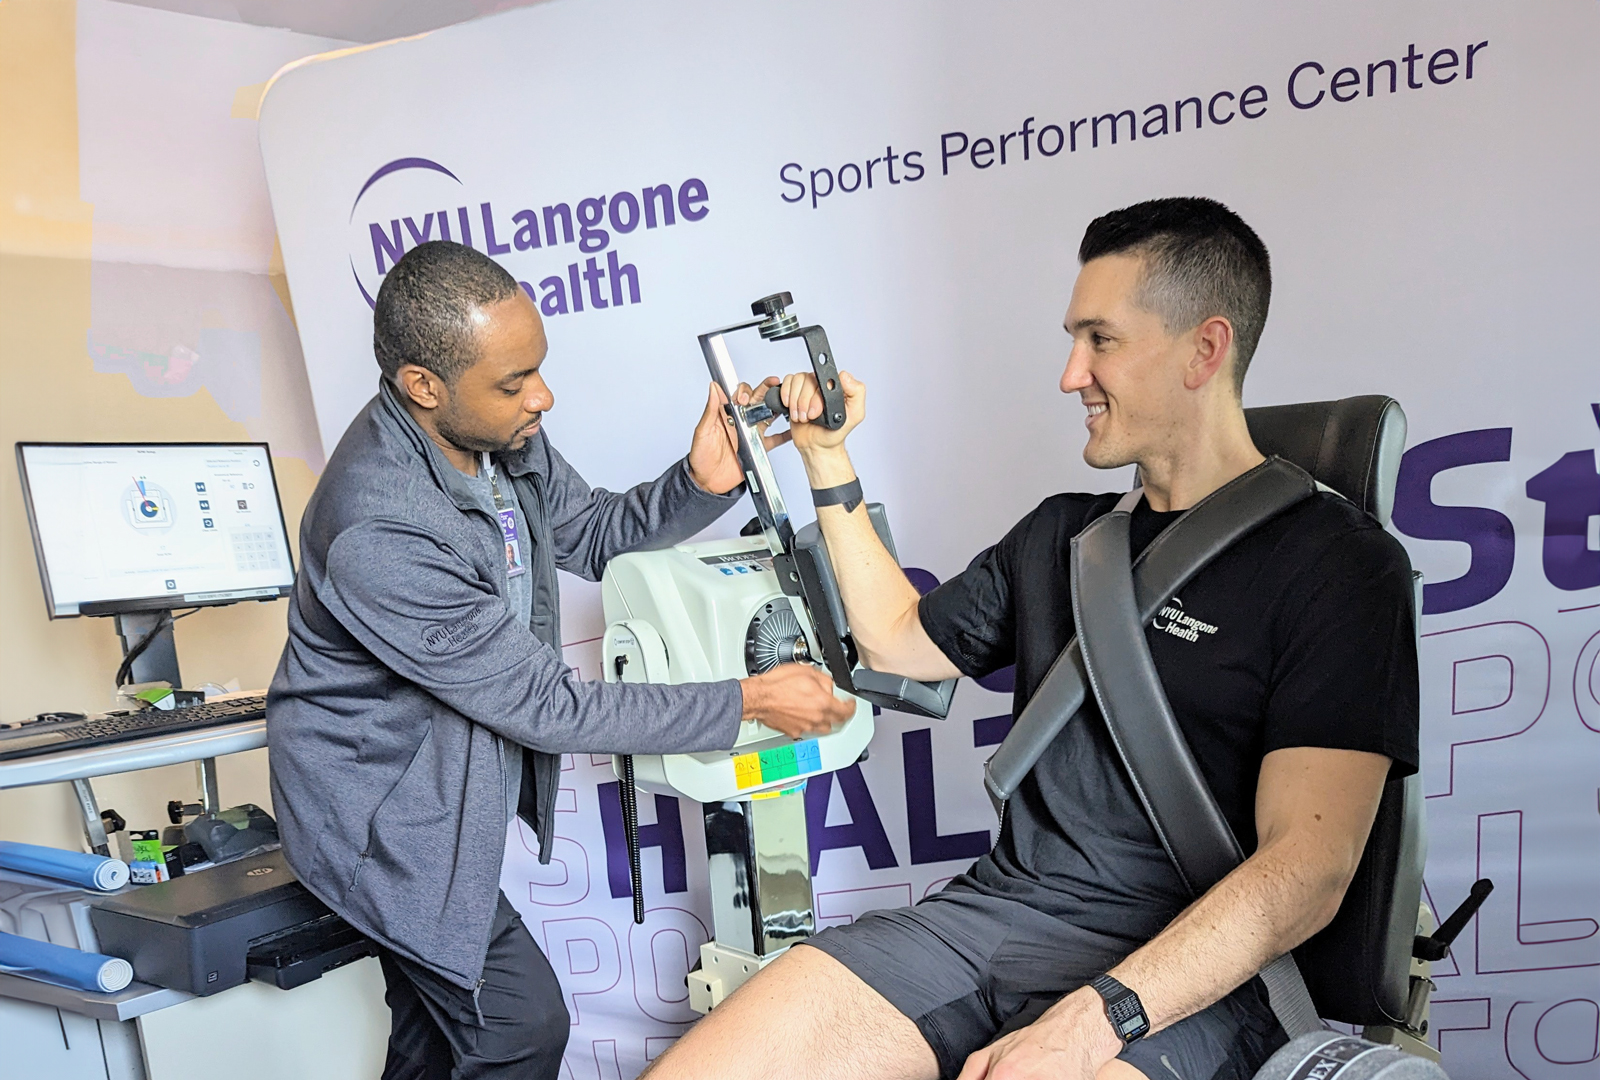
{"points": [[737, 609]]}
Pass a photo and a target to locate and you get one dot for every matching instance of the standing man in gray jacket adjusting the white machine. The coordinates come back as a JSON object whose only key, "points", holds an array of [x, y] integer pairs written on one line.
{"points": [[422, 700]]}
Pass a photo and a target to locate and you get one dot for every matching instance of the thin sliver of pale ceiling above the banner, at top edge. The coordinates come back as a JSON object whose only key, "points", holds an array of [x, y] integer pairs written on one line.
{"points": [[346, 20]]}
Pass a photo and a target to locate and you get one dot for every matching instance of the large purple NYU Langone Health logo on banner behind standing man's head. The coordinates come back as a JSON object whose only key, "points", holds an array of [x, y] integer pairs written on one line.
{"points": [[412, 201]]}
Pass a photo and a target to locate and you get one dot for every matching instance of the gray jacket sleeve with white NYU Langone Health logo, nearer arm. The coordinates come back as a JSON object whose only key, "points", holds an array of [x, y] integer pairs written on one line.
{"points": [[428, 617]]}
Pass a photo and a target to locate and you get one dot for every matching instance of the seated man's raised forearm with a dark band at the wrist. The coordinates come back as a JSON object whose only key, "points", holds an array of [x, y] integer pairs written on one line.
{"points": [[879, 601]]}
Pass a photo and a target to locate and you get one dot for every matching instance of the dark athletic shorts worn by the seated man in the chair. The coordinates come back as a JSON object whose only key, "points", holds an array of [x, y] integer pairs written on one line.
{"points": [[967, 969]]}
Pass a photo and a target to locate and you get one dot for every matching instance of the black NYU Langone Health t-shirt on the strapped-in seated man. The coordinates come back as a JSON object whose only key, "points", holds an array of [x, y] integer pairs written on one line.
{"points": [[1300, 634]]}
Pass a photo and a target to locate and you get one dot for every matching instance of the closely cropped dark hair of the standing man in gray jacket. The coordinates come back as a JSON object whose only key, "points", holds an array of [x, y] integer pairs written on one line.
{"points": [[425, 308]]}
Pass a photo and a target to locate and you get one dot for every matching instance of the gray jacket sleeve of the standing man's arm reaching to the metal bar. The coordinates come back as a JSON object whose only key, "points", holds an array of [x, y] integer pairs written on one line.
{"points": [[594, 526]]}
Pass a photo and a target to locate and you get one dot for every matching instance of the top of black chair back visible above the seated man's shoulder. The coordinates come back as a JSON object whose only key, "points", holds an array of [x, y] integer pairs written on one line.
{"points": [[1353, 446]]}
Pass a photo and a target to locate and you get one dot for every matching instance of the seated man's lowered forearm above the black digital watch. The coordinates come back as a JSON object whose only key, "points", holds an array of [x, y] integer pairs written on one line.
{"points": [[1274, 902]]}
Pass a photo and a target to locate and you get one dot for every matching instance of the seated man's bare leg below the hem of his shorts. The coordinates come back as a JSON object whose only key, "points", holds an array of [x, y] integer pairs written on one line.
{"points": [[804, 1017]]}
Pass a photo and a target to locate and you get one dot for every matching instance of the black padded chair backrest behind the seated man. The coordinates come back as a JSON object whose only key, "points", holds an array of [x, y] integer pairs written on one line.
{"points": [[1359, 967]]}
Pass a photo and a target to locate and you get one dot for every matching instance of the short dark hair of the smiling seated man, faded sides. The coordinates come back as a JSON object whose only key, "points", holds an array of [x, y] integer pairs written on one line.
{"points": [[1201, 260]]}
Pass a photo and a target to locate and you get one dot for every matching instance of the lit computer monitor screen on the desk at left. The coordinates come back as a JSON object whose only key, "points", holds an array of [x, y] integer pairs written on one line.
{"points": [[140, 527]]}
